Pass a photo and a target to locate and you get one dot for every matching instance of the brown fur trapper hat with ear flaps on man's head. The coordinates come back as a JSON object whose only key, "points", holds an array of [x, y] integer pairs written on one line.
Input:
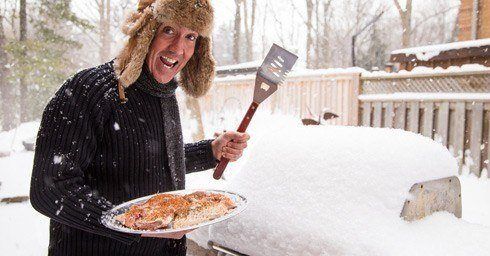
{"points": [[197, 75]]}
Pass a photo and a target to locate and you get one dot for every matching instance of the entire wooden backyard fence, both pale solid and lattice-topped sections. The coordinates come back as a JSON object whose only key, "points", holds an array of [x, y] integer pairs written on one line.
{"points": [[458, 121]]}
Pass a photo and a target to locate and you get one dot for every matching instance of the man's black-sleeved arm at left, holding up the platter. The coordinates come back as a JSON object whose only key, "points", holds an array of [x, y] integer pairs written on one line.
{"points": [[65, 146]]}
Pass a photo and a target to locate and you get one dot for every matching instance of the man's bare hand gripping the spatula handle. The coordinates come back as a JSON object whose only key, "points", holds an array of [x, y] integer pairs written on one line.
{"points": [[230, 145]]}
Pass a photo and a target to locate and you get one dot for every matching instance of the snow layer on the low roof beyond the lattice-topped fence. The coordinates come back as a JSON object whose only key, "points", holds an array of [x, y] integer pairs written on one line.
{"points": [[427, 52]]}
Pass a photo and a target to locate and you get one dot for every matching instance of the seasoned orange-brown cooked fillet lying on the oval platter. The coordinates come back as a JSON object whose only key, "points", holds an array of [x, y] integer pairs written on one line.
{"points": [[176, 211]]}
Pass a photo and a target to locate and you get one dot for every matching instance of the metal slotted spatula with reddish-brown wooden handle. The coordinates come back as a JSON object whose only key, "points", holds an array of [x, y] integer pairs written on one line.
{"points": [[272, 73]]}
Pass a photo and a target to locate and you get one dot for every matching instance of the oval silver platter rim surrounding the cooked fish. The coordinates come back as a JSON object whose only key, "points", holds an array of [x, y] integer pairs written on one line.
{"points": [[108, 218]]}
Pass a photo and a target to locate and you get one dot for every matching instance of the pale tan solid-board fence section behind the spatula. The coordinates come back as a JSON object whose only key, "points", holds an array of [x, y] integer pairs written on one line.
{"points": [[298, 96]]}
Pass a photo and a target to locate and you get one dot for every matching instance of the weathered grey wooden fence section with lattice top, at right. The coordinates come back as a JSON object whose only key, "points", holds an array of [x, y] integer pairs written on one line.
{"points": [[452, 108]]}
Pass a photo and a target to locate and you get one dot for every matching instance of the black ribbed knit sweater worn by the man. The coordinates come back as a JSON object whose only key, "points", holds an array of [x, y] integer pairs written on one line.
{"points": [[92, 153]]}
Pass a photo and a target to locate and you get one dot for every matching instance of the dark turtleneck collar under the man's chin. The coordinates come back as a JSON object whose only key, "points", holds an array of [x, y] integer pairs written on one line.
{"points": [[147, 83]]}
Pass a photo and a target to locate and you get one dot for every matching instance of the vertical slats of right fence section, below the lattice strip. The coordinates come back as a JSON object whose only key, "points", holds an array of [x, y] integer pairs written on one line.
{"points": [[459, 124]]}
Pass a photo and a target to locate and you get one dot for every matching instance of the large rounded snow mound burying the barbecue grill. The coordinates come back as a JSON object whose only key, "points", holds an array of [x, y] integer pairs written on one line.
{"points": [[339, 191]]}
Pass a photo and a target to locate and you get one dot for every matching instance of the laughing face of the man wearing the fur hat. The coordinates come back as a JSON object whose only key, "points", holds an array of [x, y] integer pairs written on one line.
{"points": [[170, 50]]}
